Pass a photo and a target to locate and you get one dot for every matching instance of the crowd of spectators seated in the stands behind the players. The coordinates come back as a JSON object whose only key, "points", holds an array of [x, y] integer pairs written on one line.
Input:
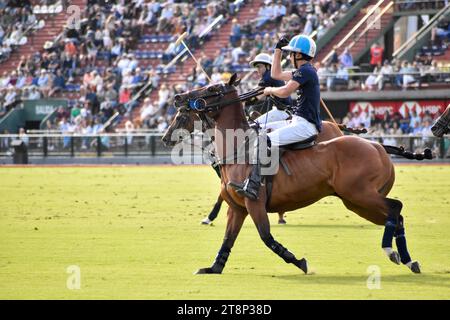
{"points": [[110, 31]]}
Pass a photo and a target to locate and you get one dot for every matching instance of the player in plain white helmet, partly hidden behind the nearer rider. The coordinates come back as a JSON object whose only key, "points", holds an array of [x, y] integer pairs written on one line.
{"points": [[280, 106]]}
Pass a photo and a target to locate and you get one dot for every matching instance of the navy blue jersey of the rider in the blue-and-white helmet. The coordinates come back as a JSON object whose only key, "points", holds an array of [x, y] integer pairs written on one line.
{"points": [[308, 101]]}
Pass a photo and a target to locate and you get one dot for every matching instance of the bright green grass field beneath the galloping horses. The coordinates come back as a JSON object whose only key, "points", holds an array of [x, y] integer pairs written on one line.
{"points": [[134, 232]]}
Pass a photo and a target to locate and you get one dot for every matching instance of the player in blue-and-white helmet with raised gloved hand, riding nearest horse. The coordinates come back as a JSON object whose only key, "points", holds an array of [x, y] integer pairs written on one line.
{"points": [[305, 122]]}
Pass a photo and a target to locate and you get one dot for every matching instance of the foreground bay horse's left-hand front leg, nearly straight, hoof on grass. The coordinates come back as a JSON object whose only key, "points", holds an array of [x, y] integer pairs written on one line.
{"points": [[234, 224]]}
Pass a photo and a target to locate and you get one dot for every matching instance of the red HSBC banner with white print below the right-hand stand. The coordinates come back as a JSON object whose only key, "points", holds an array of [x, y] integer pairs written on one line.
{"points": [[379, 108]]}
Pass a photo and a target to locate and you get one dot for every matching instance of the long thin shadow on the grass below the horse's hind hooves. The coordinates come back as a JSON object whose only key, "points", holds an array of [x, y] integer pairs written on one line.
{"points": [[429, 280]]}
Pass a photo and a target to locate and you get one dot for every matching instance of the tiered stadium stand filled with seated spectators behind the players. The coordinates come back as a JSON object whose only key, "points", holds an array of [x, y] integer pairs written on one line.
{"points": [[115, 61]]}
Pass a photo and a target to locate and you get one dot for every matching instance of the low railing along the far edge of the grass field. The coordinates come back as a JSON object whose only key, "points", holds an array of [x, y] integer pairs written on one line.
{"points": [[150, 144]]}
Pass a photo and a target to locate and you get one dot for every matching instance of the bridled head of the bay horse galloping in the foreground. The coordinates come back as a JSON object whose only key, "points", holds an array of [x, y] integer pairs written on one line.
{"points": [[208, 100]]}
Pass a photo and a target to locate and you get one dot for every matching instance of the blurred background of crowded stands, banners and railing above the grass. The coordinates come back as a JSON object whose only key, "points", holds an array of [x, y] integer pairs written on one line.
{"points": [[93, 81]]}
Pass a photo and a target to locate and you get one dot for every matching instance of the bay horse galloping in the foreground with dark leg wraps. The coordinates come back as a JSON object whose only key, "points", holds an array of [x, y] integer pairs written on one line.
{"points": [[358, 171]]}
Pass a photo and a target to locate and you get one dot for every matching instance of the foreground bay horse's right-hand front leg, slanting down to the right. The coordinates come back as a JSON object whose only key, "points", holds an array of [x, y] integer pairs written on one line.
{"points": [[258, 212]]}
